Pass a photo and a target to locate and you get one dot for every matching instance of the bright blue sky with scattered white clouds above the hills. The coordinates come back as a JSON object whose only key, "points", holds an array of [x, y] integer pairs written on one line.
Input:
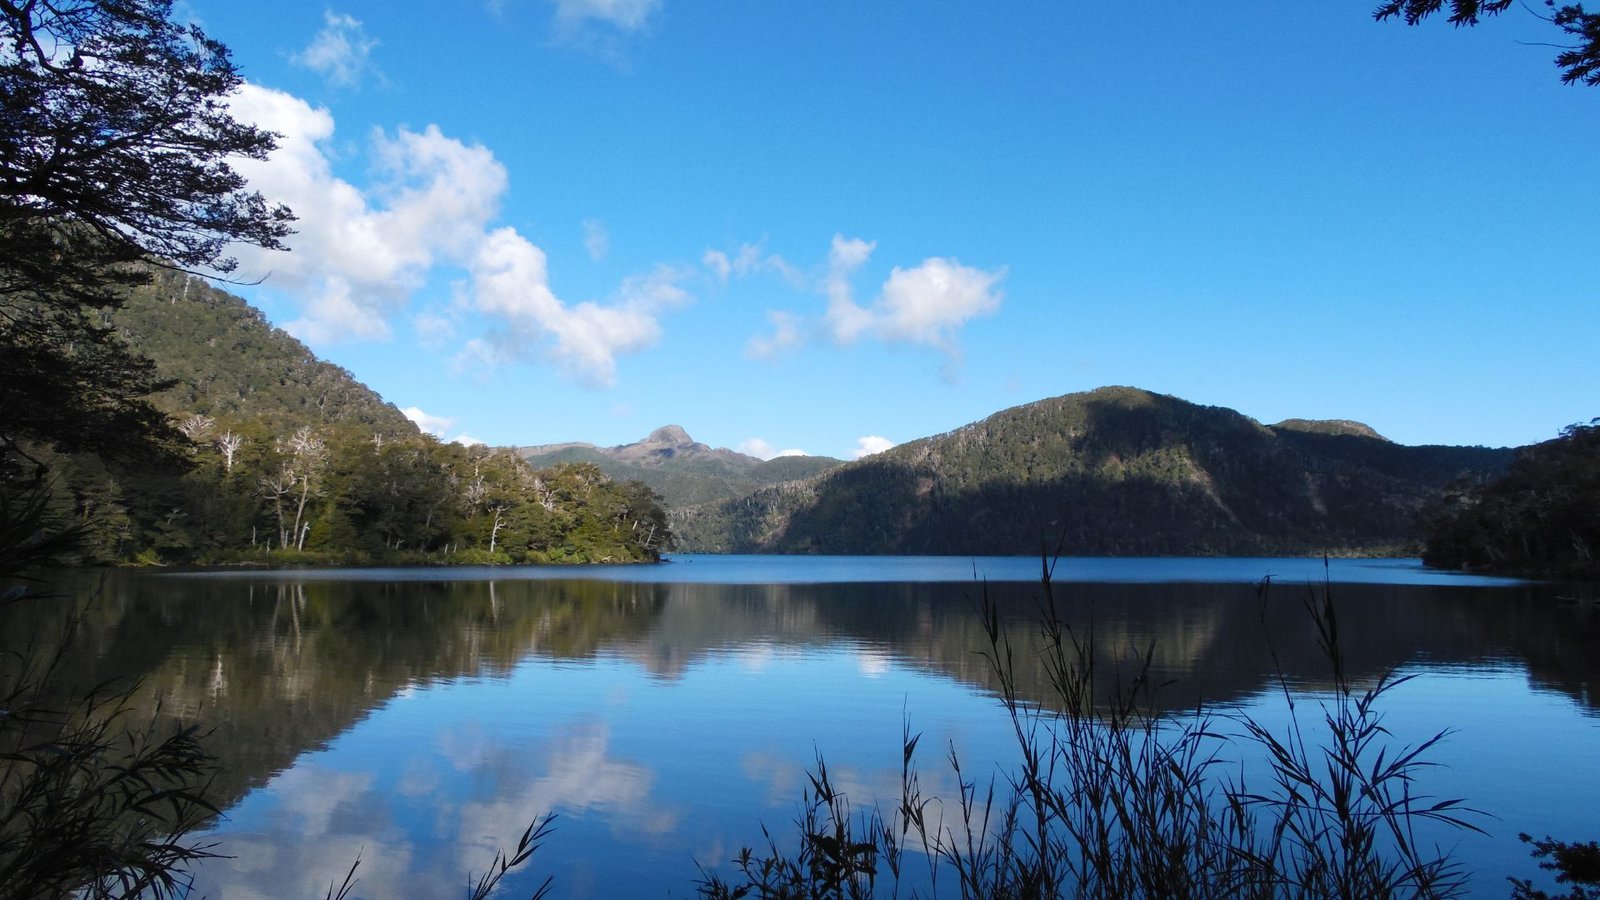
{"points": [[834, 227]]}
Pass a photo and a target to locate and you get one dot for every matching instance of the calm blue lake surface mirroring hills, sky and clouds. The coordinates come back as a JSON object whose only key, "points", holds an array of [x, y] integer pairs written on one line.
{"points": [[417, 720]]}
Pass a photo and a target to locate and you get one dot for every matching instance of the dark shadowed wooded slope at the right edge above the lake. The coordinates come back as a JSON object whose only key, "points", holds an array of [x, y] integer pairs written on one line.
{"points": [[1542, 518]]}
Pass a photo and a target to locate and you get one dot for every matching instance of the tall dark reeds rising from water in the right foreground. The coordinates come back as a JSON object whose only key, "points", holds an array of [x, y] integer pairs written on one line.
{"points": [[1113, 797]]}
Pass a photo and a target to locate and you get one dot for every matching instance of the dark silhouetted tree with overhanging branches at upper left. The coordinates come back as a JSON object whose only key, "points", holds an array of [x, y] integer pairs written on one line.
{"points": [[116, 142]]}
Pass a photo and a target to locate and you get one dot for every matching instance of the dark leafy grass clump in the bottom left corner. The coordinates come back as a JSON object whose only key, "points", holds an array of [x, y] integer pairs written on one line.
{"points": [[92, 802]]}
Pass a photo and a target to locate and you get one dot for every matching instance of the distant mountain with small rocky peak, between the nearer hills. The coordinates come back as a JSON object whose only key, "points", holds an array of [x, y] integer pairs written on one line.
{"points": [[682, 470]]}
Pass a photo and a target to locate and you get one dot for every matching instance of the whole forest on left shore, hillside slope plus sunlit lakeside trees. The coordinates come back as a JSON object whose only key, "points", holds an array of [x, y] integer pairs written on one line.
{"points": [[287, 459]]}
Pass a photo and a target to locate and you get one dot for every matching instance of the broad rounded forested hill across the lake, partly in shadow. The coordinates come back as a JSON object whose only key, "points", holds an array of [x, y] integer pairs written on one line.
{"points": [[1111, 472]]}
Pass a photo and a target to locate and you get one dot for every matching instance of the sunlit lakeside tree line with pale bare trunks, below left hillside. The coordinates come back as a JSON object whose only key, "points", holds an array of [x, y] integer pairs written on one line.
{"points": [[353, 496]]}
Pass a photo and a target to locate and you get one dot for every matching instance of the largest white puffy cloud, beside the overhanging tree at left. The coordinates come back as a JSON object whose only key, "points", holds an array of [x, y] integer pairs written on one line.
{"points": [[361, 255]]}
